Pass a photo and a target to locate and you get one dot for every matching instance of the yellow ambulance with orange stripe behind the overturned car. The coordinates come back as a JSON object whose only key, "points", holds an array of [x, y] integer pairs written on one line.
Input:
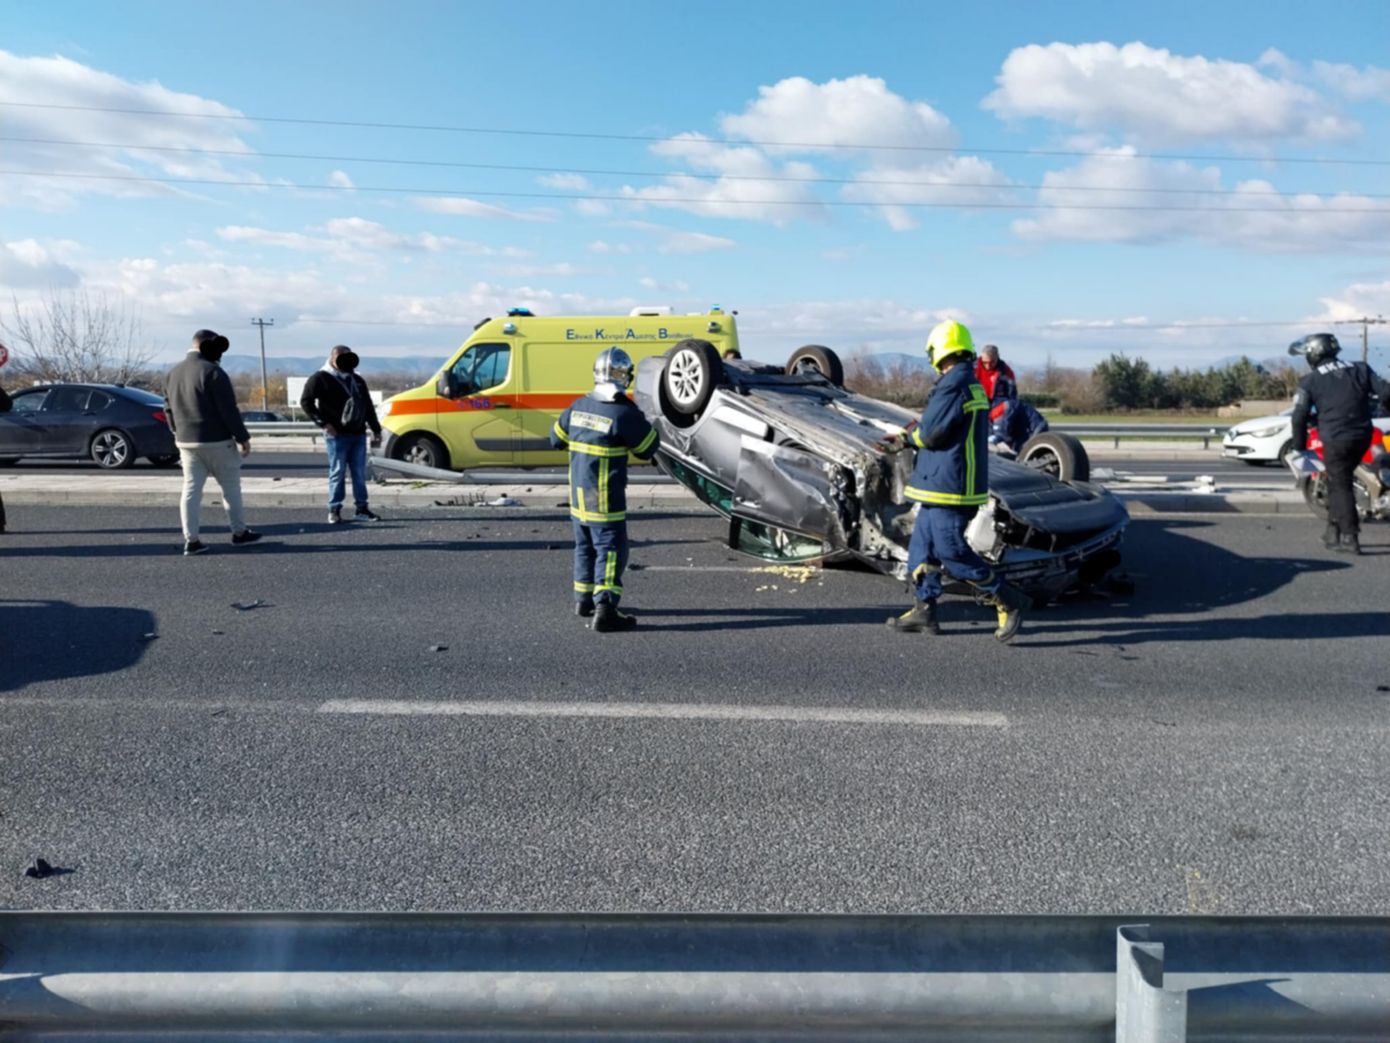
{"points": [[494, 403]]}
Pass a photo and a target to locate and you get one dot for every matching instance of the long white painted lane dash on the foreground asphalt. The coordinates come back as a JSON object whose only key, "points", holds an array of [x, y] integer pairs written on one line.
{"points": [[668, 711]]}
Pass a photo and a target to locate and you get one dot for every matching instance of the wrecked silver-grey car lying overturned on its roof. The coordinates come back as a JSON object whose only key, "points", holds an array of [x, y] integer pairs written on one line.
{"points": [[806, 472]]}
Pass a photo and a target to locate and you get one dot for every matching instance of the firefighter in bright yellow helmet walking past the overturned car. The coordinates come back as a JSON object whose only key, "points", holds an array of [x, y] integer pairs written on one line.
{"points": [[950, 482]]}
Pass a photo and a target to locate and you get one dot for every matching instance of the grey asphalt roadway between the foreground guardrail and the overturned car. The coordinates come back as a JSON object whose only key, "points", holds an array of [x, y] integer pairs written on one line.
{"points": [[1213, 743]]}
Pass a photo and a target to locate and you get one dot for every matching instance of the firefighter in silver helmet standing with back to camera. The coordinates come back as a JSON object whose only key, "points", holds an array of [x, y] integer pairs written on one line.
{"points": [[601, 430]]}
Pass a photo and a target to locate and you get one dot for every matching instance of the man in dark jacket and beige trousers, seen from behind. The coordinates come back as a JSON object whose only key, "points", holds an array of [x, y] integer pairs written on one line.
{"points": [[209, 432]]}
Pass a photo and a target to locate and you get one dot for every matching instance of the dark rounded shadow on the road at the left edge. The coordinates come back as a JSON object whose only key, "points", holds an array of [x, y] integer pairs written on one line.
{"points": [[56, 640]]}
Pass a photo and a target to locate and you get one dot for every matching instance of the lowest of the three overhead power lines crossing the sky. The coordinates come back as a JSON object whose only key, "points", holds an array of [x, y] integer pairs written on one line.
{"points": [[658, 201]]}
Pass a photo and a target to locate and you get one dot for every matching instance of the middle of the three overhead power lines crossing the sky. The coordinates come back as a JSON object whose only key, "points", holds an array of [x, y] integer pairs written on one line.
{"points": [[398, 162]]}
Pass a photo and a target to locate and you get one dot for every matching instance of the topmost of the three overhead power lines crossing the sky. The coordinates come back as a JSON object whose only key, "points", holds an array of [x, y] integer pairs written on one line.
{"points": [[864, 147]]}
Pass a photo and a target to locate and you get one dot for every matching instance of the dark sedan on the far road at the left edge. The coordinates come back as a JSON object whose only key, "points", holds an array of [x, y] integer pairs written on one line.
{"points": [[105, 423]]}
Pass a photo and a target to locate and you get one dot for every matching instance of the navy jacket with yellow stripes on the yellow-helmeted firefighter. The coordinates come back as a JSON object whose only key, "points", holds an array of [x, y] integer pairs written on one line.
{"points": [[953, 468]]}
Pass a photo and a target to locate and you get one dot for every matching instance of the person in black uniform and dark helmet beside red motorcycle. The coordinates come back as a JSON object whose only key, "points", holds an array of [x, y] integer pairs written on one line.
{"points": [[1341, 394]]}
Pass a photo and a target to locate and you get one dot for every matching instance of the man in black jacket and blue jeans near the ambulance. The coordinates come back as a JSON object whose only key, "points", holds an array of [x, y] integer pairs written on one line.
{"points": [[337, 400]]}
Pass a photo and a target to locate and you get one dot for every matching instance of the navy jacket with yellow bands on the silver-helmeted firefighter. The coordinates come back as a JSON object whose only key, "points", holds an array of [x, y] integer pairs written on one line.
{"points": [[600, 436]]}
